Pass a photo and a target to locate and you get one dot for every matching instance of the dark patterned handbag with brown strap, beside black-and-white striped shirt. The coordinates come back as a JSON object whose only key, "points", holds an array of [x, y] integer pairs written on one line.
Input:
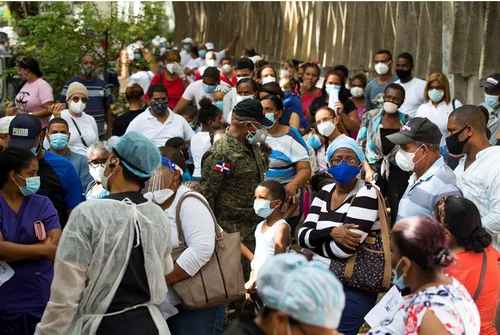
{"points": [[369, 269]]}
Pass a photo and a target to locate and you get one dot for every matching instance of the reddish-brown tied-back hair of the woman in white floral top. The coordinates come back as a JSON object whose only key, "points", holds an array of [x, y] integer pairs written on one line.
{"points": [[423, 240]]}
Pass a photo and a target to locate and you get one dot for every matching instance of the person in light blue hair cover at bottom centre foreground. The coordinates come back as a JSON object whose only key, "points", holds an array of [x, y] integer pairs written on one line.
{"points": [[299, 297]]}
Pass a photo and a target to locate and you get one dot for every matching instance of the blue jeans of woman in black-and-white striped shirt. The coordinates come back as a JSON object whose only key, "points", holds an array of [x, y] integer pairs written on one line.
{"points": [[357, 304]]}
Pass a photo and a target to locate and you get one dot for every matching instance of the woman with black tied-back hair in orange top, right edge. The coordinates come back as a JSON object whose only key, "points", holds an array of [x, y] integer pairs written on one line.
{"points": [[475, 264]]}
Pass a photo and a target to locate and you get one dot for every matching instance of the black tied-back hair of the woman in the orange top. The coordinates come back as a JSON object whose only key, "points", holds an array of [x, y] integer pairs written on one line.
{"points": [[461, 217]]}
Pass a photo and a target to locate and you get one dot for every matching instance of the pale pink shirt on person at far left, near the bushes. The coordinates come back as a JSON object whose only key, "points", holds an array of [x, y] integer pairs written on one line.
{"points": [[32, 96]]}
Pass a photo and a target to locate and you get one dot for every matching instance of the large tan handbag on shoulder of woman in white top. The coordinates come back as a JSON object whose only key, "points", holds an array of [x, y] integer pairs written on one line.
{"points": [[218, 282]]}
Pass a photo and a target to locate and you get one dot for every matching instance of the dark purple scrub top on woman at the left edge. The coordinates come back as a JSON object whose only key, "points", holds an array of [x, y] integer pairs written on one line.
{"points": [[29, 289]]}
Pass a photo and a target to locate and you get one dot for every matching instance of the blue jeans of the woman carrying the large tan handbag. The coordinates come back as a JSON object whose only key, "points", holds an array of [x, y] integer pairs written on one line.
{"points": [[207, 321]]}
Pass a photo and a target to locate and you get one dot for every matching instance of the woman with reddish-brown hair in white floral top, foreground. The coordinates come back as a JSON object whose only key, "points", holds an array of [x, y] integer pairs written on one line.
{"points": [[437, 304]]}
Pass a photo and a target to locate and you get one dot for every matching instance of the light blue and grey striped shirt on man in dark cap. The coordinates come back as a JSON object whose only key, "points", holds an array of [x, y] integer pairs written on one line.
{"points": [[423, 193]]}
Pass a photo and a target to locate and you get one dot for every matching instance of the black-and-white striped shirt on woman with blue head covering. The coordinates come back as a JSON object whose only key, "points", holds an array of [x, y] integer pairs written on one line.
{"points": [[360, 208]]}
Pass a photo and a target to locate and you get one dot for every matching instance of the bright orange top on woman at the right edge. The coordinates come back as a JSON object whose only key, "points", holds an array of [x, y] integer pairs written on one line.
{"points": [[467, 269]]}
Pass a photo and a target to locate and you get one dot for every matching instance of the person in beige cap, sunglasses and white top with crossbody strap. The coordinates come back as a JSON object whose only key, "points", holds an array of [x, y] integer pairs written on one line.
{"points": [[82, 127]]}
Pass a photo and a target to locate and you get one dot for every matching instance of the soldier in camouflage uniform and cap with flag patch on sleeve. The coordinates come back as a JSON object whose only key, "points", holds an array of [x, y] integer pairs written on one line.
{"points": [[233, 168]]}
